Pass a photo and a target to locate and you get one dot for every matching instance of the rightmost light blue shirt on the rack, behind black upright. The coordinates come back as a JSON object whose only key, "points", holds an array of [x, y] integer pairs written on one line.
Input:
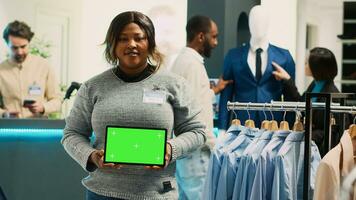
{"points": [[289, 171]]}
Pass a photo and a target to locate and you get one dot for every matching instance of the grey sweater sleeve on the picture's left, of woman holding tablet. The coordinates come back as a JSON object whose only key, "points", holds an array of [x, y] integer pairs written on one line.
{"points": [[78, 129]]}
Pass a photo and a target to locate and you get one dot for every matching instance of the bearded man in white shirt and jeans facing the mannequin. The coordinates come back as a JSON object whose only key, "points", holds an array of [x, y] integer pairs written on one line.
{"points": [[202, 33]]}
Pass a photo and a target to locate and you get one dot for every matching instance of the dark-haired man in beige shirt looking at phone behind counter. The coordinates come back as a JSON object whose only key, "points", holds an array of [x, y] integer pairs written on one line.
{"points": [[26, 77]]}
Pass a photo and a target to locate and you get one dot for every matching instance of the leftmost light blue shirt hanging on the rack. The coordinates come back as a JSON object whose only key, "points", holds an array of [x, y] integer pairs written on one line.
{"points": [[216, 160]]}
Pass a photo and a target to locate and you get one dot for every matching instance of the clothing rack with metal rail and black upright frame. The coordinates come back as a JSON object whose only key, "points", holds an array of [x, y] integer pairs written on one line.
{"points": [[306, 107]]}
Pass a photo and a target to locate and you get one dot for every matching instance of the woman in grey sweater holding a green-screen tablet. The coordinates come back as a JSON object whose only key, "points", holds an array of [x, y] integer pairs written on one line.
{"points": [[134, 93]]}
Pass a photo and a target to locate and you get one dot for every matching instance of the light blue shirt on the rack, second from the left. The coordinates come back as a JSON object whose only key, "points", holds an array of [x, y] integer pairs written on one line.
{"points": [[232, 155]]}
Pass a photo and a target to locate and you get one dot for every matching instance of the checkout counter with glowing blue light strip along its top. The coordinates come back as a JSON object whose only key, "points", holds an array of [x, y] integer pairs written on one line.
{"points": [[34, 164]]}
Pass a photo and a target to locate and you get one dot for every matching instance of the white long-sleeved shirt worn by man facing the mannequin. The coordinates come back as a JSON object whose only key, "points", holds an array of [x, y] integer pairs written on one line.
{"points": [[190, 65]]}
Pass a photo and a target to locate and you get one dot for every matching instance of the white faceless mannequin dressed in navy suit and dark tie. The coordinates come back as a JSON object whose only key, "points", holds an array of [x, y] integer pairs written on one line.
{"points": [[240, 66]]}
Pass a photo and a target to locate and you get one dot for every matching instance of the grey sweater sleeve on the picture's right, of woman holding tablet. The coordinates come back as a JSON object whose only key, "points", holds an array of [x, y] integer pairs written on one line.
{"points": [[189, 130]]}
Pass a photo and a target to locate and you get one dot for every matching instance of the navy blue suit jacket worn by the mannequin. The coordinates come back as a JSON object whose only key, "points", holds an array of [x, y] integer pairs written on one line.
{"points": [[247, 89]]}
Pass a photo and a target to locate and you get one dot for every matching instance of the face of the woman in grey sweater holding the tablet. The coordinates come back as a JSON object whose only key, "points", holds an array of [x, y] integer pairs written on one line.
{"points": [[132, 49]]}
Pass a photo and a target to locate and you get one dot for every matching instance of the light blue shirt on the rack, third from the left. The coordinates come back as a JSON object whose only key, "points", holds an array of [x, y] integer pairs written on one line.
{"points": [[247, 169]]}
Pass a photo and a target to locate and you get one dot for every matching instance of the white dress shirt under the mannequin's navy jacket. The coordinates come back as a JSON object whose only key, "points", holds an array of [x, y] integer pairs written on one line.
{"points": [[251, 57]]}
